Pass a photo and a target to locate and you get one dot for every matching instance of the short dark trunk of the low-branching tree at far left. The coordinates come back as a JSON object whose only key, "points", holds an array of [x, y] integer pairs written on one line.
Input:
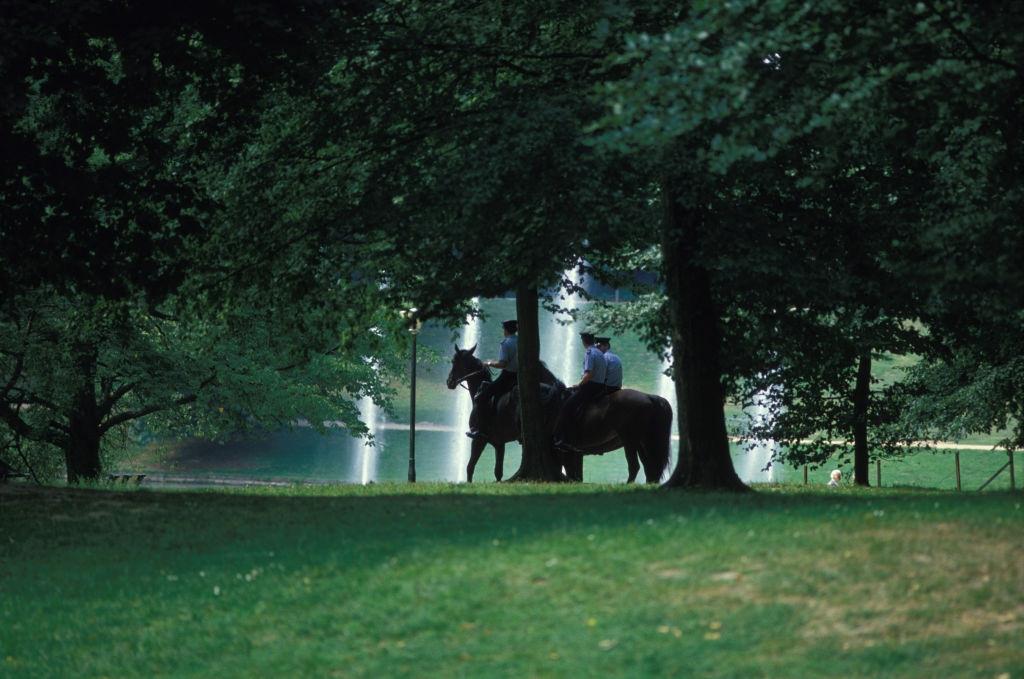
{"points": [[82, 449]]}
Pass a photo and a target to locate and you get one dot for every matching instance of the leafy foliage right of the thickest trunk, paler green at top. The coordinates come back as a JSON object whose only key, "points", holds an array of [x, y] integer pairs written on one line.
{"points": [[854, 180]]}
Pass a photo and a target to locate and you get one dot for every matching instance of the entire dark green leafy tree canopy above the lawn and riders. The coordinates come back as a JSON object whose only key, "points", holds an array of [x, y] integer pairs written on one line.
{"points": [[259, 207]]}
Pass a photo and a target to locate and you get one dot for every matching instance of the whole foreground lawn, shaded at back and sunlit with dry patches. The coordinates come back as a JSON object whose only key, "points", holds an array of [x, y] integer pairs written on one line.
{"points": [[510, 581]]}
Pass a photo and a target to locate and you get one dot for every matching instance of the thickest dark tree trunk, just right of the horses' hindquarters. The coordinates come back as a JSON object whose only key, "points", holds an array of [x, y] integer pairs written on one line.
{"points": [[704, 459]]}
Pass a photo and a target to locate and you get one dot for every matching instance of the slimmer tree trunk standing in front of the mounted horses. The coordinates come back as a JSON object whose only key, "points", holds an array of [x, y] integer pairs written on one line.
{"points": [[539, 463]]}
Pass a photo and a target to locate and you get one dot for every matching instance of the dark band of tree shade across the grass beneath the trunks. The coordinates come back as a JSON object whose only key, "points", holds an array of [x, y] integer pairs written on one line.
{"points": [[361, 524]]}
